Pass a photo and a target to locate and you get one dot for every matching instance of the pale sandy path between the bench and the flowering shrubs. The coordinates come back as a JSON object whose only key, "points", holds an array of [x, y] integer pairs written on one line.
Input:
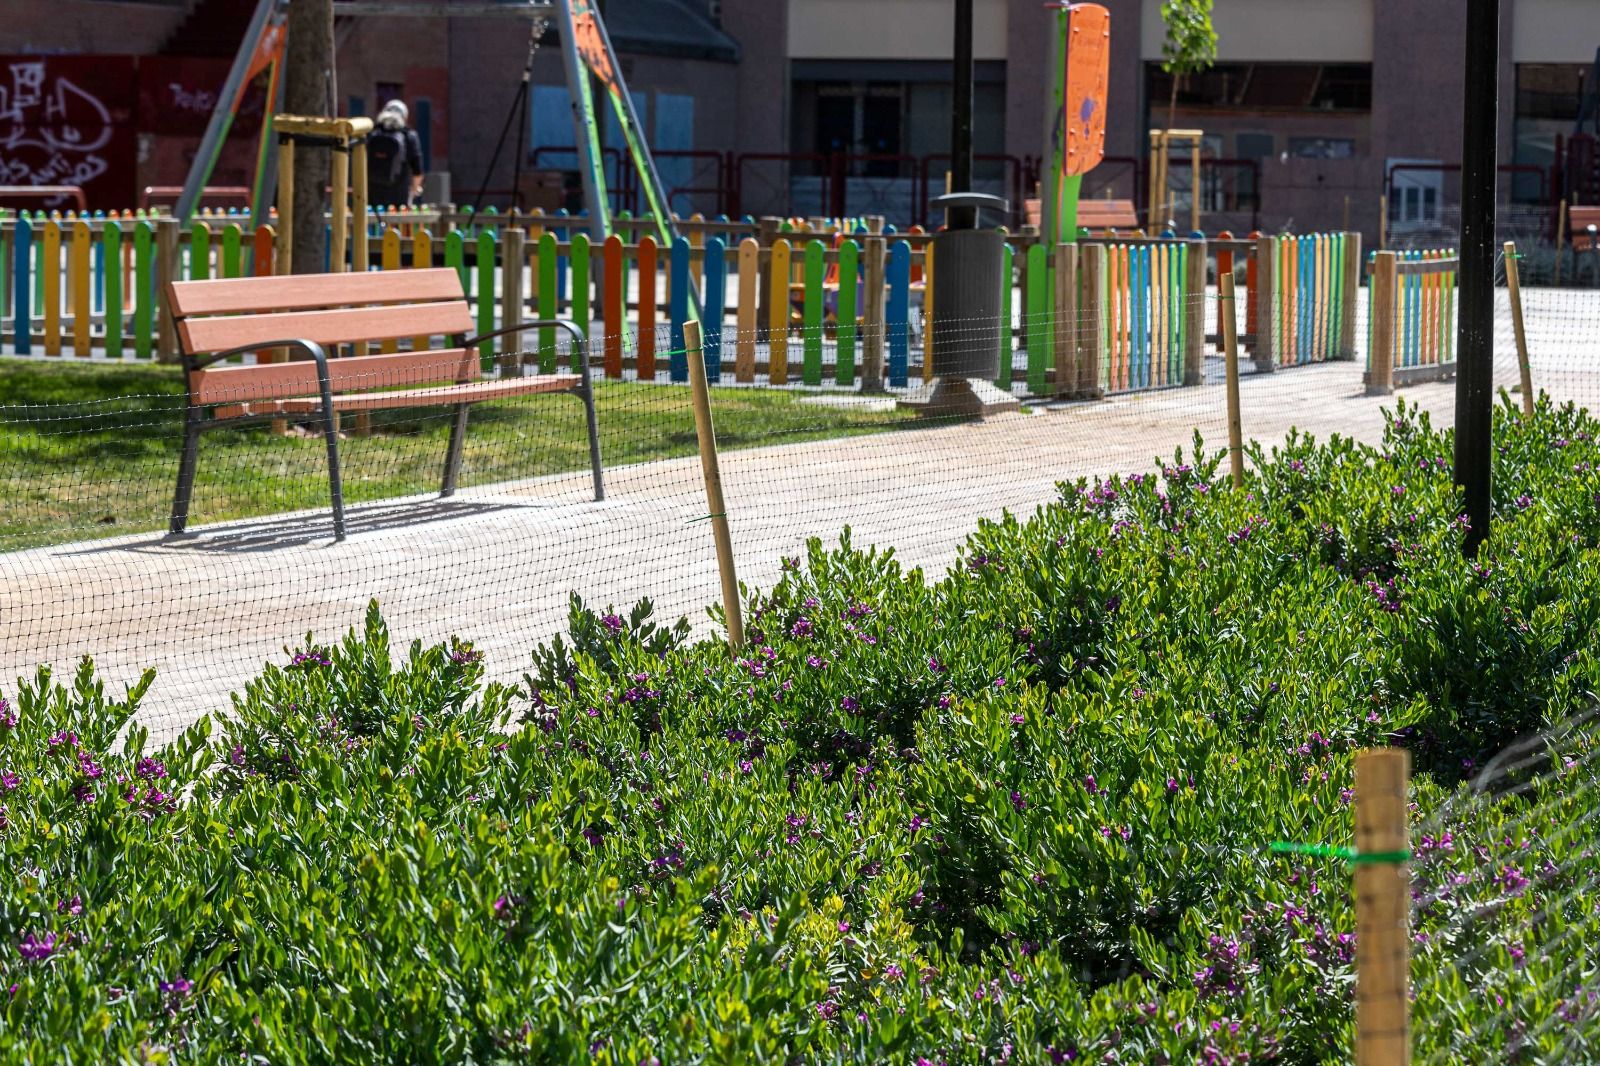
{"points": [[498, 564]]}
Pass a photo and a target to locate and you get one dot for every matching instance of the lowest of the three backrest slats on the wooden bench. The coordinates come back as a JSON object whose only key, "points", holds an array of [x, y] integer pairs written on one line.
{"points": [[300, 377]]}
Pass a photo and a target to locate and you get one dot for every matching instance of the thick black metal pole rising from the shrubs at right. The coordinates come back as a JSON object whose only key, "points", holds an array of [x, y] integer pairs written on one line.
{"points": [[1476, 339]]}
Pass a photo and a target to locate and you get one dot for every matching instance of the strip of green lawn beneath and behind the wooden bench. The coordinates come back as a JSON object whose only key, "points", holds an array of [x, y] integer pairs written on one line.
{"points": [[92, 449]]}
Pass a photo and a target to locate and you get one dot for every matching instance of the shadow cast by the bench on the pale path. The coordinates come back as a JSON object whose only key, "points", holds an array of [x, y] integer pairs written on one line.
{"points": [[311, 529]]}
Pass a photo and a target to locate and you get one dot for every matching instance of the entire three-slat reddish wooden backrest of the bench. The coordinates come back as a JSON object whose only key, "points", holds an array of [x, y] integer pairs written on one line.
{"points": [[330, 310]]}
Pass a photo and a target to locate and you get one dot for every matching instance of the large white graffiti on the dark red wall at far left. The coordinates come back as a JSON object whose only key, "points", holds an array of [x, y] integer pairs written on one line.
{"points": [[65, 122]]}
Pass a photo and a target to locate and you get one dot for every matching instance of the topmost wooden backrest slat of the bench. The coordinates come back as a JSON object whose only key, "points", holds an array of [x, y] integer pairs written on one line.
{"points": [[311, 292]]}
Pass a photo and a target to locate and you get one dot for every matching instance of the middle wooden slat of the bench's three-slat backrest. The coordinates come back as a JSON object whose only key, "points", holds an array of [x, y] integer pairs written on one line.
{"points": [[327, 327]]}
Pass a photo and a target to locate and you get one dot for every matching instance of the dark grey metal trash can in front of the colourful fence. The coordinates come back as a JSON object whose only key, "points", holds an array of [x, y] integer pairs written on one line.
{"points": [[969, 263]]}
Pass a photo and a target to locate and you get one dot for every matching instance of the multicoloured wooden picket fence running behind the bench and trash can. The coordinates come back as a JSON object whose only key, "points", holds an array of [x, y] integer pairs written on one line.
{"points": [[786, 305]]}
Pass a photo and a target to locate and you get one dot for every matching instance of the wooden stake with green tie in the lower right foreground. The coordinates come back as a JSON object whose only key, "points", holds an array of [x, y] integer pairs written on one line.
{"points": [[1383, 910]]}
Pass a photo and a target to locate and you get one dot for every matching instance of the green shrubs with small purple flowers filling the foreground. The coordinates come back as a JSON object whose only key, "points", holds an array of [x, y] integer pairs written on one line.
{"points": [[1018, 814]]}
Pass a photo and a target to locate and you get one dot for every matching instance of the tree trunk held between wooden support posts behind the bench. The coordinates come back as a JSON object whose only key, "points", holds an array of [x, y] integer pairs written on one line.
{"points": [[310, 90]]}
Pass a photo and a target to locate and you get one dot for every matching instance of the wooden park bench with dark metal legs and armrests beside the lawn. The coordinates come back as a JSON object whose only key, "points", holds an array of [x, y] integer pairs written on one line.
{"points": [[313, 316]]}
